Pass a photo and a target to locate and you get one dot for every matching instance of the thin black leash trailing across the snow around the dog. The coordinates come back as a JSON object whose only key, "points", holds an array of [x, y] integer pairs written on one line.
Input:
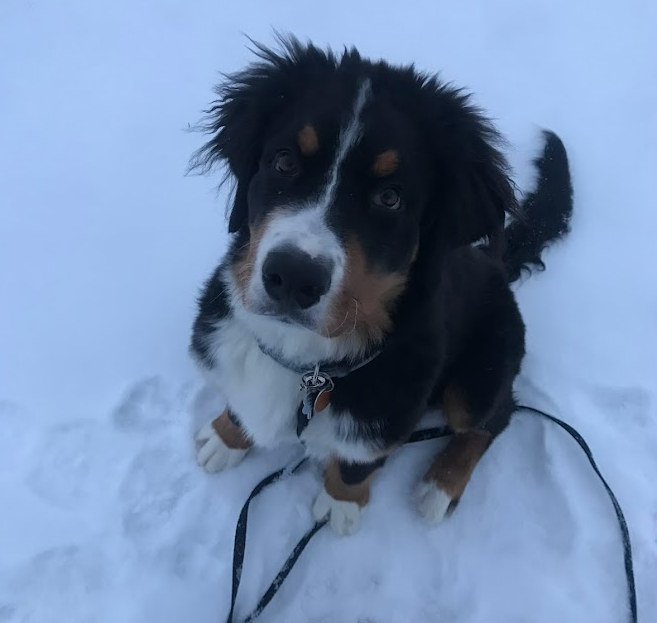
{"points": [[421, 435]]}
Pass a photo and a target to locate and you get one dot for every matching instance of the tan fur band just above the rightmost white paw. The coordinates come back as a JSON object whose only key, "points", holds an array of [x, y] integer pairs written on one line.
{"points": [[453, 467]]}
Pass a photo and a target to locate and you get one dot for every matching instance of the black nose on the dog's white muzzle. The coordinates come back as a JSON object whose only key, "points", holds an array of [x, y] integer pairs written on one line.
{"points": [[294, 279]]}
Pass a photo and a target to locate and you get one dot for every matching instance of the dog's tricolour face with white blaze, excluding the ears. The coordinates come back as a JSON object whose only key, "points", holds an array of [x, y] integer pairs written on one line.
{"points": [[334, 211]]}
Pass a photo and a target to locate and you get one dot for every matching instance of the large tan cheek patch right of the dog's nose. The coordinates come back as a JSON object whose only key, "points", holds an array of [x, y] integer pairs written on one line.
{"points": [[363, 307]]}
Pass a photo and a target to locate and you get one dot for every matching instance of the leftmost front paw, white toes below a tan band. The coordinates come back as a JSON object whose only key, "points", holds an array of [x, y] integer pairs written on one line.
{"points": [[221, 443]]}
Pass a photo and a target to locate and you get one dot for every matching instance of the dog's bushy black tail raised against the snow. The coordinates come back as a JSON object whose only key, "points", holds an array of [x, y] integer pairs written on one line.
{"points": [[544, 213]]}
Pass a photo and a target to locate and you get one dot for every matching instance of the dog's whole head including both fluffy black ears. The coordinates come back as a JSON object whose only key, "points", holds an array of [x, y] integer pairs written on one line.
{"points": [[351, 177]]}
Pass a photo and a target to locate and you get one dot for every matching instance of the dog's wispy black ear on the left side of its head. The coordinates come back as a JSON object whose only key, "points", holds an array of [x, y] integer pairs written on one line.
{"points": [[247, 101]]}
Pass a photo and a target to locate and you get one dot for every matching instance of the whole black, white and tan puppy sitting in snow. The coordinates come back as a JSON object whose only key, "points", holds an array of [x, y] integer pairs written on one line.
{"points": [[375, 235]]}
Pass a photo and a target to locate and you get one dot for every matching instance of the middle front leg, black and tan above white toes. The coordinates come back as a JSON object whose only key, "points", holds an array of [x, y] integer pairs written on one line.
{"points": [[345, 494]]}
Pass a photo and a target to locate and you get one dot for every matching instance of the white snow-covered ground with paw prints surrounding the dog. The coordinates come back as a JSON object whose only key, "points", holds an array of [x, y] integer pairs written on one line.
{"points": [[104, 515]]}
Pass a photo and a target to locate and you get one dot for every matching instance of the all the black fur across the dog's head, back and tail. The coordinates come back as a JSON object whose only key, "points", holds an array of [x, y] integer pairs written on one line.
{"points": [[457, 322]]}
